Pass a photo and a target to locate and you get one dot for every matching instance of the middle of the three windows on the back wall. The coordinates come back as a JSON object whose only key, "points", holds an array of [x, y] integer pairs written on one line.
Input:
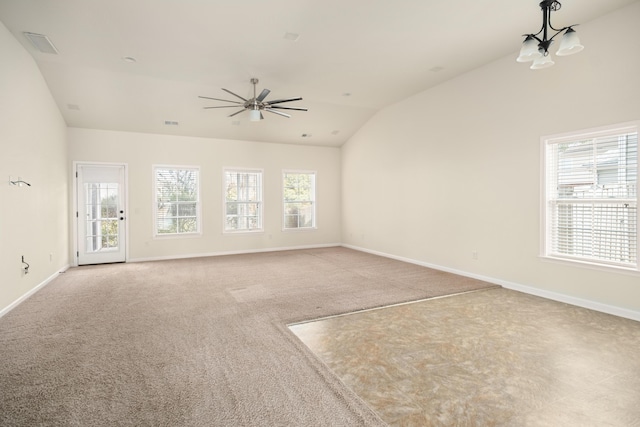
{"points": [[243, 200]]}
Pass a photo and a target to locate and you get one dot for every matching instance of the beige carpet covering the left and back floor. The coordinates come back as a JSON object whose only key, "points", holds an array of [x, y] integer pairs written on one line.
{"points": [[196, 342]]}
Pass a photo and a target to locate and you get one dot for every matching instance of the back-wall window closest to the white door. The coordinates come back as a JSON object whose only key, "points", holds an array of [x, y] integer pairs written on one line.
{"points": [[177, 206]]}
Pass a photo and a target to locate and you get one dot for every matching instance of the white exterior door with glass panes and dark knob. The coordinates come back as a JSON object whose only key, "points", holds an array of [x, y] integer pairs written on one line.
{"points": [[101, 213]]}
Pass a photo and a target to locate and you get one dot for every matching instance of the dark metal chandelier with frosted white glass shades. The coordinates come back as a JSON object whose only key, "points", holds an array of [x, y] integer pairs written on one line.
{"points": [[536, 49]]}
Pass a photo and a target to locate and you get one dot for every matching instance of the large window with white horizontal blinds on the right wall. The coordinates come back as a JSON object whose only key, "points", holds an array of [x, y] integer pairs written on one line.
{"points": [[591, 198]]}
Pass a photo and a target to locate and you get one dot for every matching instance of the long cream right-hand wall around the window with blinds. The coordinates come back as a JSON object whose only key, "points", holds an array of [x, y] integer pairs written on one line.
{"points": [[456, 169]]}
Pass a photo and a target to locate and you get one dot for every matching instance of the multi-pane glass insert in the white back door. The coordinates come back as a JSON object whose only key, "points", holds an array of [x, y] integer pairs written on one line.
{"points": [[102, 222]]}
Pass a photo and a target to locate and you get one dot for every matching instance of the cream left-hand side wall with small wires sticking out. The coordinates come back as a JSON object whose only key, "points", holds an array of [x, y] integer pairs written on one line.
{"points": [[33, 220]]}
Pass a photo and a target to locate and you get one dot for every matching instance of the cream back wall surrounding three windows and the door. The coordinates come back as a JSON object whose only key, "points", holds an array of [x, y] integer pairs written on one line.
{"points": [[141, 151]]}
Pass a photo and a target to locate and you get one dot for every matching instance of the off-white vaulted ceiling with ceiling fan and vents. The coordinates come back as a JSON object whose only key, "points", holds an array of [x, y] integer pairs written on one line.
{"points": [[378, 51]]}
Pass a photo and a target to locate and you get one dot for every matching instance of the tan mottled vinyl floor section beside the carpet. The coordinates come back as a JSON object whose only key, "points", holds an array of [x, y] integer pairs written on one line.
{"points": [[488, 358]]}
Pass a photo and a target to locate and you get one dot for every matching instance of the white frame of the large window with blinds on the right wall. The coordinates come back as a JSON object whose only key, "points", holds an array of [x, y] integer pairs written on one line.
{"points": [[549, 197]]}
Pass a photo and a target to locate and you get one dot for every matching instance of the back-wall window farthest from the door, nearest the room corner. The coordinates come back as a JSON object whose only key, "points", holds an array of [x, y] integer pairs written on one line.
{"points": [[299, 190]]}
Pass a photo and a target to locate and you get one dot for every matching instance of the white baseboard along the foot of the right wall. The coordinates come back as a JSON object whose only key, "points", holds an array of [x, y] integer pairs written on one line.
{"points": [[555, 296]]}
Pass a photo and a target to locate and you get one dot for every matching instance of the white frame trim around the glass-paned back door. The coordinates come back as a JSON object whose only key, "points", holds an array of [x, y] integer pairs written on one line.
{"points": [[74, 206]]}
